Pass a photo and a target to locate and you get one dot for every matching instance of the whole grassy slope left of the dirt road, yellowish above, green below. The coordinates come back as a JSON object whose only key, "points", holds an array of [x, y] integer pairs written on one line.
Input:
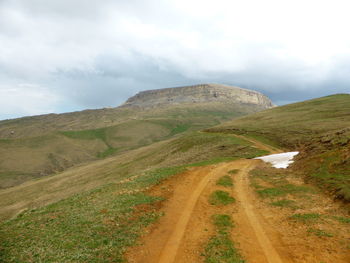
{"points": [[95, 211]]}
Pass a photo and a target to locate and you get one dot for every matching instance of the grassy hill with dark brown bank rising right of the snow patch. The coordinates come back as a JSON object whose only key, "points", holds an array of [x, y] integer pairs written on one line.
{"points": [[319, 129]]}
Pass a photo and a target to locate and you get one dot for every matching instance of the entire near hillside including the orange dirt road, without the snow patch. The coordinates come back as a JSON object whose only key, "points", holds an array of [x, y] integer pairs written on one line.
{"points": [[194, 197]]}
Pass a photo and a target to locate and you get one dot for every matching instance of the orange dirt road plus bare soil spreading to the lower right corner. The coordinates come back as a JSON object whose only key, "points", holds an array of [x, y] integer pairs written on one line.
{"points": [[183, 231]]}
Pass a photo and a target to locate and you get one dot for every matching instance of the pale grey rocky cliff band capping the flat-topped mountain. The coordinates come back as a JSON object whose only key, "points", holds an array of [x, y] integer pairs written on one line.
{"points": [[198, 94]]}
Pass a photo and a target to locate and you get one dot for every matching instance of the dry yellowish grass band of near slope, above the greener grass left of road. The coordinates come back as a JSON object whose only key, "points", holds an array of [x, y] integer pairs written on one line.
{"points": [[203, 149]]}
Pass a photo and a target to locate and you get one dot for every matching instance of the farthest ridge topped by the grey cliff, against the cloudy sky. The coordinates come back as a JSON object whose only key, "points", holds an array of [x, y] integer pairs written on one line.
{"points": [[198, 99]]}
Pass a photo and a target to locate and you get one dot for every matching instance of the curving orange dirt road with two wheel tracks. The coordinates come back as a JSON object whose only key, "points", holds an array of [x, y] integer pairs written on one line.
{"points": [[186, 225]]}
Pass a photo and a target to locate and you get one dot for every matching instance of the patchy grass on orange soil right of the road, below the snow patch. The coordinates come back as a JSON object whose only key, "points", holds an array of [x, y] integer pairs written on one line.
{"points": [[305, 211]]}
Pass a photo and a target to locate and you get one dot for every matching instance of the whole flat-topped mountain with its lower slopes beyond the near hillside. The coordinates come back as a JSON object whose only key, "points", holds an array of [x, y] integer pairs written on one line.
{"points": [[37, 146]]}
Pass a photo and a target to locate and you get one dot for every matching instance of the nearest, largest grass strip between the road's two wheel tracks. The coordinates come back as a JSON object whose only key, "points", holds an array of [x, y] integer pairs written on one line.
{"points": [[220, 247]]}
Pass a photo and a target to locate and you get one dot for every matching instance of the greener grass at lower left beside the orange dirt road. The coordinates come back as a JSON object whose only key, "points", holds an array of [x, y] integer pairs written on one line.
{"points": [[95, 226]]}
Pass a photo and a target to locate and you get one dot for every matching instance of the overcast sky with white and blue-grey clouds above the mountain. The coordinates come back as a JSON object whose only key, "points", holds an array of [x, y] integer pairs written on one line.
{"points": [[67, 55]]}
